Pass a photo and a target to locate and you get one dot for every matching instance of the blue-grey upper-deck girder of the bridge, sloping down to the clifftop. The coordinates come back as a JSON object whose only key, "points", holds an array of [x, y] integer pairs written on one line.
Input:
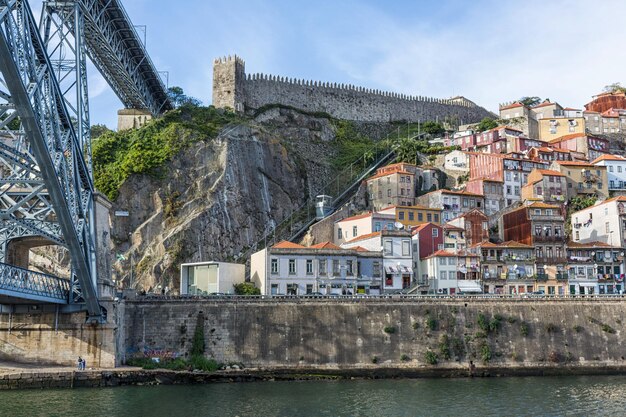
{"points": [[116, 50]]}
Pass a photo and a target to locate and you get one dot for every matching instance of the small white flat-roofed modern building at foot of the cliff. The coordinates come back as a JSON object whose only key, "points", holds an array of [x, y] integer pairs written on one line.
{"points": [[205, 278]]}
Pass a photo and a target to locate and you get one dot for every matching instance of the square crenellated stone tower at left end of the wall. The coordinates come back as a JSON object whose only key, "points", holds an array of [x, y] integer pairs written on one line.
{"points": [[229, 75]]}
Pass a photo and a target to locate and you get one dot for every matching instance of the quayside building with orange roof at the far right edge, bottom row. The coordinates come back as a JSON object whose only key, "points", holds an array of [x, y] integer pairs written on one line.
{"points": [[595, 268]]}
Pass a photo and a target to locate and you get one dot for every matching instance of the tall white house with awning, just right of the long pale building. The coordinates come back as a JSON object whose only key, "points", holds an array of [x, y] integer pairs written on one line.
{"points": [[397, 258]]}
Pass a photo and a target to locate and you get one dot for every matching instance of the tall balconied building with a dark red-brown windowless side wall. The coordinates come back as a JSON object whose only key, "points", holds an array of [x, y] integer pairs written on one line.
{"points": [[542, 226]]}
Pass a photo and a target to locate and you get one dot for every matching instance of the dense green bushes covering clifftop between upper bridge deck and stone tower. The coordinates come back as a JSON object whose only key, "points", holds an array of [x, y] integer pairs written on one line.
{"points": [[118, 155]]}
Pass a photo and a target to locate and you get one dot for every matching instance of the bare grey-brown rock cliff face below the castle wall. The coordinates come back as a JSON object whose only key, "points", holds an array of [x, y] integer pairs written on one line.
{"points": [[218, 197]]}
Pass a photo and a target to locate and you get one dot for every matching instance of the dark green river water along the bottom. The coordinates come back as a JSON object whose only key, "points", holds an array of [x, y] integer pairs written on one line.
{"points": [[531, 396]]}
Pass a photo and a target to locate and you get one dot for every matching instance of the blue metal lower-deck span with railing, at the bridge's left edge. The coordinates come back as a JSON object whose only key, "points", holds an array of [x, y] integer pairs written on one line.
{"points": [[44, 287]]}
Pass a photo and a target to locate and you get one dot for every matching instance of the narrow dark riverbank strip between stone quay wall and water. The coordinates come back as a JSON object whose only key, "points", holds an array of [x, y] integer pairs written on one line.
{"points": [[39, 378]]}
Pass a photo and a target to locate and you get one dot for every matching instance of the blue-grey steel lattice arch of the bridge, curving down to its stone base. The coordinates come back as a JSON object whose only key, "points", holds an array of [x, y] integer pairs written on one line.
{"points": [[48, 182]]}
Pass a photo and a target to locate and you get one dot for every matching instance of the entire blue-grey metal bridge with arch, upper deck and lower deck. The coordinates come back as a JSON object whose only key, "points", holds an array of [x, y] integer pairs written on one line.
{"points": [[46, 185]]}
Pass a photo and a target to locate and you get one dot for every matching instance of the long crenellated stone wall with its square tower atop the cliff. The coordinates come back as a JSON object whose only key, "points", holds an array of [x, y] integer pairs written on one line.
{"points": [[232, 87]]}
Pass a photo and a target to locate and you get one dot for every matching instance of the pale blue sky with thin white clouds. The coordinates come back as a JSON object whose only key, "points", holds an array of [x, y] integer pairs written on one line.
{"points": [[488, 51]]}
